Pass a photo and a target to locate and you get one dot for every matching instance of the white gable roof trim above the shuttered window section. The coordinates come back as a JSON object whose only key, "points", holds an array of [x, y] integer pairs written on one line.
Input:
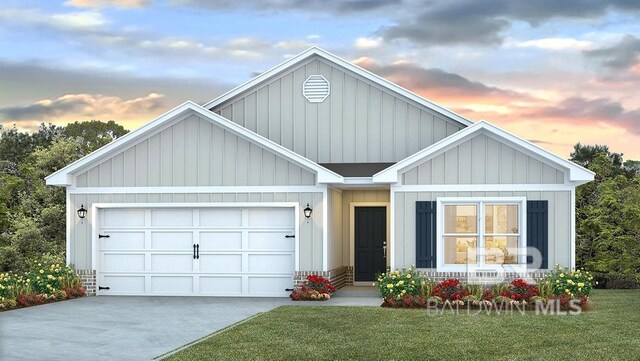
{"points": [[577, 174]]}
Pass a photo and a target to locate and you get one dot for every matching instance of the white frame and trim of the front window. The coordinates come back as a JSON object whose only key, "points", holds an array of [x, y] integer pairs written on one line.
{"points": [[522, 226]]}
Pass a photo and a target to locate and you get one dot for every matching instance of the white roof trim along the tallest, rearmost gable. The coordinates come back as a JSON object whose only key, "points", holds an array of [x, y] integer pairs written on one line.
{"points": [[345, 64]]}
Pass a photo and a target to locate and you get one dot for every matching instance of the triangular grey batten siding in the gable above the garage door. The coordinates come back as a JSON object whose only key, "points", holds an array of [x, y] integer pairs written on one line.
{"points": [[195, 152]]}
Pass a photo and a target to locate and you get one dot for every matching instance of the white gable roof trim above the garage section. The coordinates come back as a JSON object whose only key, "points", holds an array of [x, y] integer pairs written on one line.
{"points": [[64, 176]]}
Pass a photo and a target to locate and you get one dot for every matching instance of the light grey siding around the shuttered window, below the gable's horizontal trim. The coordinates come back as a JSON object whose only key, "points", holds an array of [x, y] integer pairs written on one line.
{"points": [[559, 221]]}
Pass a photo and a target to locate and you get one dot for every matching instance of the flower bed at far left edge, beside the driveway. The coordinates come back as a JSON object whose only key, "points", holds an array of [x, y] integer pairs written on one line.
{"points": [[43, 283]]}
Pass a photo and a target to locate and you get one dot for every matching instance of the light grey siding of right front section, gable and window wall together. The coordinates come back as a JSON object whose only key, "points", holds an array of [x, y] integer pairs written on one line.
{"points": [[463, 171]]}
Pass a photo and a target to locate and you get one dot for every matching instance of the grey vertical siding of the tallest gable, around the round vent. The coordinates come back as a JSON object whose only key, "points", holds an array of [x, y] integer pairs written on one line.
{"points": [[358, 122]]}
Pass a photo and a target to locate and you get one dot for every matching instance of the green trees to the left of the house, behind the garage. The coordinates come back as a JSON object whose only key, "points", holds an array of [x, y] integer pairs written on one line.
{"points": [[32, 214]]}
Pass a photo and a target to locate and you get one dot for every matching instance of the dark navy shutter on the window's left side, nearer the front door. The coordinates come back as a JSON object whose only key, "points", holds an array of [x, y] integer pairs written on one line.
{"points": [[426, 234]]}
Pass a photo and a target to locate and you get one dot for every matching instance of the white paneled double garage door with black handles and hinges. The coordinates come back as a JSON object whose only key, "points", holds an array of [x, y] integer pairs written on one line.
{"points": [[196, 251]]}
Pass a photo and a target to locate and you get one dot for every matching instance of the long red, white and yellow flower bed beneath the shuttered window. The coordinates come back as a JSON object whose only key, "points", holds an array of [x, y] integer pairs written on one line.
{"points": [[564, 288]]}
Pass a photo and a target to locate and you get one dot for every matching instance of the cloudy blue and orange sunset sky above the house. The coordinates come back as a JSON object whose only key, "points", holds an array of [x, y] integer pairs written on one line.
{"points": [[553, 72]]}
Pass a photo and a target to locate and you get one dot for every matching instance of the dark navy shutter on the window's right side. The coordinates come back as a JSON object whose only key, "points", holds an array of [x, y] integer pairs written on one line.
{"points": [[538, 230]]}
